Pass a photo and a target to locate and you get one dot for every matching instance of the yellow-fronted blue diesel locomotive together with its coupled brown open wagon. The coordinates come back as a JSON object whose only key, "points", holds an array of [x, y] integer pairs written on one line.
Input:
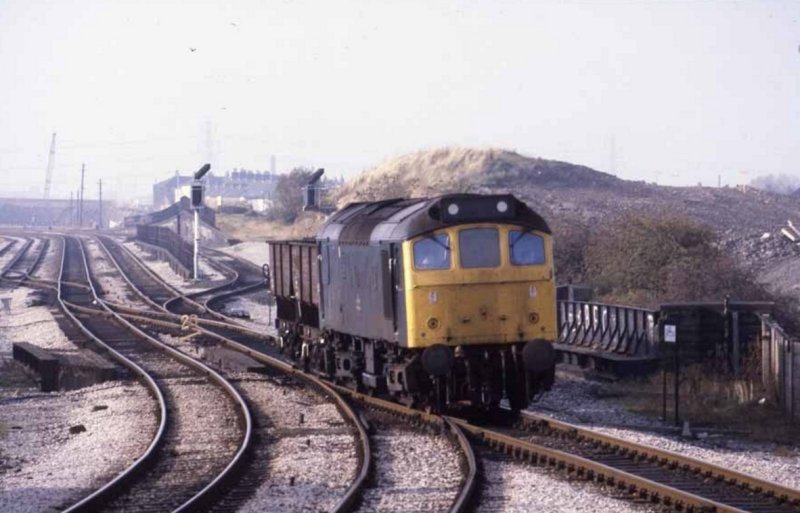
{"points": [[438, 302]]}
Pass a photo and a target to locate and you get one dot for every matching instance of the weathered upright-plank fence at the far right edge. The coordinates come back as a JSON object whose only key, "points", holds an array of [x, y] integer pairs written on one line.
{"points": [[780, 366]]}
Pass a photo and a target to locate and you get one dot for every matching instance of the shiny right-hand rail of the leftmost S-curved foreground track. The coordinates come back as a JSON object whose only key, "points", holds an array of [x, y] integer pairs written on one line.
{"points": [[204, 495]]}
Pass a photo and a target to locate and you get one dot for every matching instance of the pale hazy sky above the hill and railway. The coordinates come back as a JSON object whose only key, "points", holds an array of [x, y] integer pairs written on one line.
{"points": [[678, 92]]}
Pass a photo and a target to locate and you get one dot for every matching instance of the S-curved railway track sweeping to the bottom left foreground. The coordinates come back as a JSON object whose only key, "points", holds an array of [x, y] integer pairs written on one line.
{"points": [[205, 426]]}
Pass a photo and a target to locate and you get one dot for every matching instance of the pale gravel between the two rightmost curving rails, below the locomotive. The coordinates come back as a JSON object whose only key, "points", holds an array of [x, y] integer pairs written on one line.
{"points": [[413, 471]]}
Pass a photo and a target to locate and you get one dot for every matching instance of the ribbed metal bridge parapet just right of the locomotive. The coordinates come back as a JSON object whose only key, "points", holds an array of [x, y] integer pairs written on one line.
{"points": [[612, 329]]}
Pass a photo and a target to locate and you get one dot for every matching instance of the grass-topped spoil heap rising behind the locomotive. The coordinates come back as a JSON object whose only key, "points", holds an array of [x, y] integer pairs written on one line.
{"points": [[571, 194]]}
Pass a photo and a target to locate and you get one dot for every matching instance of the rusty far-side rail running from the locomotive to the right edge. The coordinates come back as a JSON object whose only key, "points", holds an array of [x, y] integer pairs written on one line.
{"points": [[711, 471]]}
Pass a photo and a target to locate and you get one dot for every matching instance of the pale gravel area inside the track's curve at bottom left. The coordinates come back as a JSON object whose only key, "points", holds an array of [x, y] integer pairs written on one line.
{"points": [[43, 466]]}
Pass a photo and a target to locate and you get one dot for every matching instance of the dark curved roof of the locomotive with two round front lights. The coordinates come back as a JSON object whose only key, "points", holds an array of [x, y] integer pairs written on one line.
{"points": [[402, 219]]}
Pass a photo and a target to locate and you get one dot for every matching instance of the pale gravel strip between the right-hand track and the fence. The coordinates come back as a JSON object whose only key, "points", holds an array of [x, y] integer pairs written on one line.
{"points": [[575, 400]]}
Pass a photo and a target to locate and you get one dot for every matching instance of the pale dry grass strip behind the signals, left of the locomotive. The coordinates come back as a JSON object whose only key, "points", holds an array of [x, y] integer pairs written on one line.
{"points": [[252, 228]]}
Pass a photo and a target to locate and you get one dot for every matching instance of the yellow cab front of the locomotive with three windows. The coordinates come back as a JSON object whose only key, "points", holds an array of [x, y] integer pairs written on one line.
{"points": [[479, 283]]}
